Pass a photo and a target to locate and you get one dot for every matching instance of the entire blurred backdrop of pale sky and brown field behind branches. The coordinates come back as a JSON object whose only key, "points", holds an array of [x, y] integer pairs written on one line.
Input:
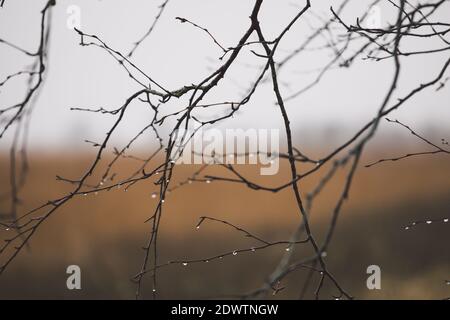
{"points": [[104, 233]]}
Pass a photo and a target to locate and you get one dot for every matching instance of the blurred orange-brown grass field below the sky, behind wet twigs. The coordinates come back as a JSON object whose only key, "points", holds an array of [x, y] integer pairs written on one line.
{"points": [[103, 234]]}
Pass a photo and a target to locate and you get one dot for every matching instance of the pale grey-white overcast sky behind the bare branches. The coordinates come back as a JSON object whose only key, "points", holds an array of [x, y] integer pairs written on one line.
{"points": [[178, 54]]}
